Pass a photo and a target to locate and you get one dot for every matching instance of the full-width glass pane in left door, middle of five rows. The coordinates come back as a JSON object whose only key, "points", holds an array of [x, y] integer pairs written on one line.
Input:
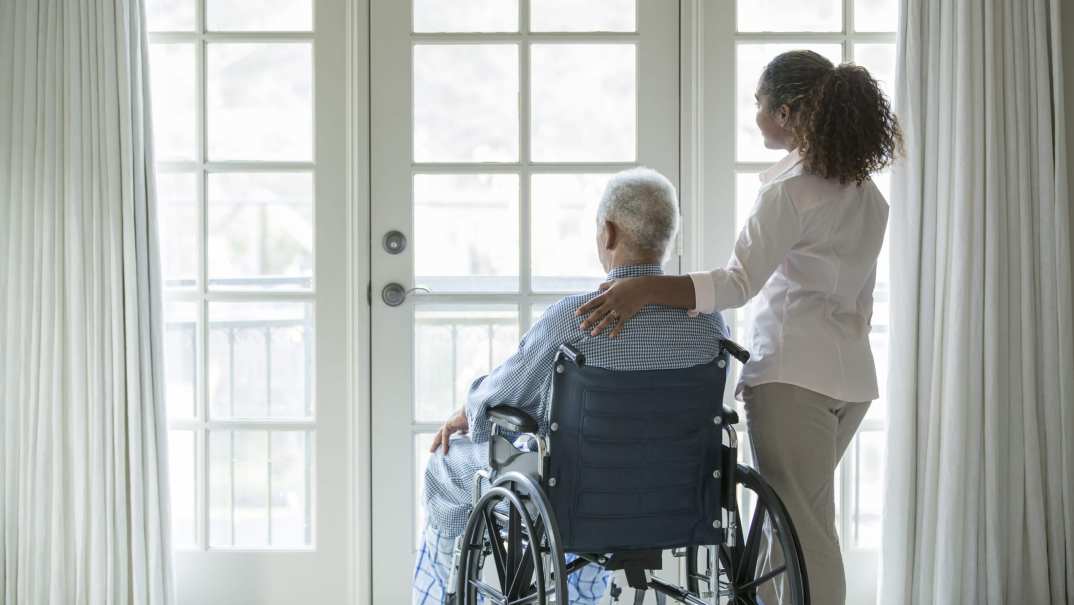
{"points": [[262, 231]]}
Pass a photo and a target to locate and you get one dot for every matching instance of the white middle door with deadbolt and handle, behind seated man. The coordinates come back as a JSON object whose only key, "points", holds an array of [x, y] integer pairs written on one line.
{"points": [[495, 126]]}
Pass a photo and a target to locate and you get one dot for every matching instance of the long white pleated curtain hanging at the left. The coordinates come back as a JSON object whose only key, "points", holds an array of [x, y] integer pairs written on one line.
{"points": [[83, 476]]}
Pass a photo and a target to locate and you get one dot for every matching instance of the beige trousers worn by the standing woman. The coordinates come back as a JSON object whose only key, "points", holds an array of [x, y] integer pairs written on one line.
{"points": [[799, 438]]}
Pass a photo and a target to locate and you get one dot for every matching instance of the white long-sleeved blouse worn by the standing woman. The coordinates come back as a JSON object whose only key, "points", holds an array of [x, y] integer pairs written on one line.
{"points": [[810, 249]]}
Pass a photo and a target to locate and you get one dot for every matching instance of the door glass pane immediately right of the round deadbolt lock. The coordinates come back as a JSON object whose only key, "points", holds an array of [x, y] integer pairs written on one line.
{"points": [[467, 233]]}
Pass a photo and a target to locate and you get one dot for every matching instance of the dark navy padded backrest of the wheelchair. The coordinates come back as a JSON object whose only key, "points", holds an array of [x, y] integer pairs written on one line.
{"points": [[633, 456]]}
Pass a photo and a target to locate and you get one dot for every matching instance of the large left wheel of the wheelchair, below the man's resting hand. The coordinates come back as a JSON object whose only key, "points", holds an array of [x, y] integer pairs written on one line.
{"points": [[511, 553]]}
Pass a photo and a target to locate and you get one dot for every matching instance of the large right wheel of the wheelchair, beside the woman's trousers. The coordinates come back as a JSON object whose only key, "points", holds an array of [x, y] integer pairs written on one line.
{"points": [[766, 564]]}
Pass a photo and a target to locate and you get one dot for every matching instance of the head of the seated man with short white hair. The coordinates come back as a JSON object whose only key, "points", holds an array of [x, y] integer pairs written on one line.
{"points": [[637, 220]]}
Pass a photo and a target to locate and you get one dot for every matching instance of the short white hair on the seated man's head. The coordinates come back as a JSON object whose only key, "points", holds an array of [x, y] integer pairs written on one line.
{"points": [[644, 206]]}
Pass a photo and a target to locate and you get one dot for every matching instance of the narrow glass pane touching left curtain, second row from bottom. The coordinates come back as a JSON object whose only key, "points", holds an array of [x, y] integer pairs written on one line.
{"points": [[181, 359]]}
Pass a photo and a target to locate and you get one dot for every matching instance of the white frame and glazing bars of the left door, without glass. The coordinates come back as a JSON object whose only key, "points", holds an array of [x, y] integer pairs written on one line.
{"points": [[239, 573]]}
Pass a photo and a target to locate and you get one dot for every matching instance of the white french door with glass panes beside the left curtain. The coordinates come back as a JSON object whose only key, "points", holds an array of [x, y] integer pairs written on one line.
{"points": [[253, 227]]}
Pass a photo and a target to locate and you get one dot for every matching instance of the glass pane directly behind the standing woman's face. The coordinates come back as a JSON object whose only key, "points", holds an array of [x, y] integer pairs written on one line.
{"points": [[751, 62]]}
